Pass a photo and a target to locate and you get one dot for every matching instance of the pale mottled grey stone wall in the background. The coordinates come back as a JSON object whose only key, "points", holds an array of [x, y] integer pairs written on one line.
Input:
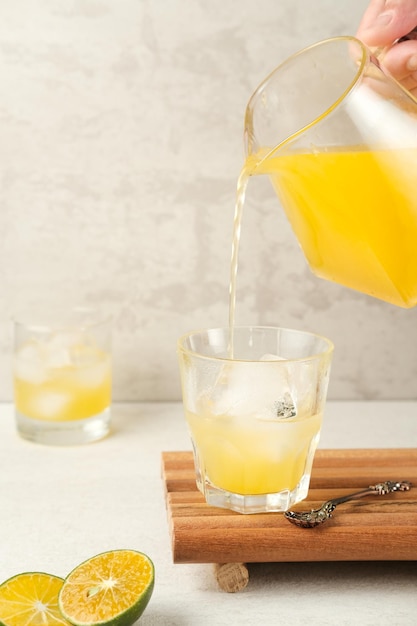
{"points": [[121, 141]]}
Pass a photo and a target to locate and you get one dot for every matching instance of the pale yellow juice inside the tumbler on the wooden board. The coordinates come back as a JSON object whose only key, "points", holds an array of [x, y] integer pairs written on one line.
{"points": [[250, 455]]}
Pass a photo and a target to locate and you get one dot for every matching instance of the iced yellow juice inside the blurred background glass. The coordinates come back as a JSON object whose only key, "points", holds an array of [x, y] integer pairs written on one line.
{"points": [[62, 384]]}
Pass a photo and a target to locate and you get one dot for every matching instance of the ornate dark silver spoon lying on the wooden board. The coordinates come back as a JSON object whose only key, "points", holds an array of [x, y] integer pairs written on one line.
{"points": [[315, 517]]}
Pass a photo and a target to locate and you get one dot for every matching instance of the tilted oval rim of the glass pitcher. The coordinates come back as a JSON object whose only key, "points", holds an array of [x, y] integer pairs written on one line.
{"points": [[365, 58]]}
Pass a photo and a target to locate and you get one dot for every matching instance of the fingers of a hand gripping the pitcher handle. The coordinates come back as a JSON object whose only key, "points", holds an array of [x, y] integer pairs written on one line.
{"points": [[383, 23]]}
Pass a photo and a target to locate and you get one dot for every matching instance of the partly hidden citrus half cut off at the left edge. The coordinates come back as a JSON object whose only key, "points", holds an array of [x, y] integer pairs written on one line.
{"points": [[31, 599]]}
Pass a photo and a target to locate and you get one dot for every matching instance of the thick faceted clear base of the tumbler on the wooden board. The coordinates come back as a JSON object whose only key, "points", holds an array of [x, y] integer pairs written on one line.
{"points": [[259, 503]]}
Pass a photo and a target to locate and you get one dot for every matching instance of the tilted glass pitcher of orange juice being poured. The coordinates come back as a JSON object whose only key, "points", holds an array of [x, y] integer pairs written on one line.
{"points": [[338, 138]]}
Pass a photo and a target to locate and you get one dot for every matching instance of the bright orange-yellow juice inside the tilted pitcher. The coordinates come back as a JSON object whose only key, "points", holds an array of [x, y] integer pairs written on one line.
{"points": [[354, 213]]}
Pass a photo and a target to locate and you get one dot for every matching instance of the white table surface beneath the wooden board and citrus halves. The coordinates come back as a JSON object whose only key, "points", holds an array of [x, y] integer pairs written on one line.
{"points": [[60, 506]]}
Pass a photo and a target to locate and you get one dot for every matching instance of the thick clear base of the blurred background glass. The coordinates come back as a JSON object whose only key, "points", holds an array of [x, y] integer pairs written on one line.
{"points": [[69, 433]]}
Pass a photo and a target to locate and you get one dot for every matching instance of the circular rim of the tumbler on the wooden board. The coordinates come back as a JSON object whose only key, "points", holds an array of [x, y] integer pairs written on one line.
{"points": [[181, 348]]}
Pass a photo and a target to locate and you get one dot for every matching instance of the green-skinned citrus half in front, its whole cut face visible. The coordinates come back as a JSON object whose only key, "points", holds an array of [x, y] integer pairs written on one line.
{"points": [[110, 589]]}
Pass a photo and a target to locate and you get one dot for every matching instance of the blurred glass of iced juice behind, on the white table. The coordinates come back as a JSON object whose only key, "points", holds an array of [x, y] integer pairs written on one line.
{"points": [[62, 379]]}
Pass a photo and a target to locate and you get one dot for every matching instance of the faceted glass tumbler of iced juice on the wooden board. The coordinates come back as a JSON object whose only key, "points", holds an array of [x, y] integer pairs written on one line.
{"points": [[254, 417]]}
